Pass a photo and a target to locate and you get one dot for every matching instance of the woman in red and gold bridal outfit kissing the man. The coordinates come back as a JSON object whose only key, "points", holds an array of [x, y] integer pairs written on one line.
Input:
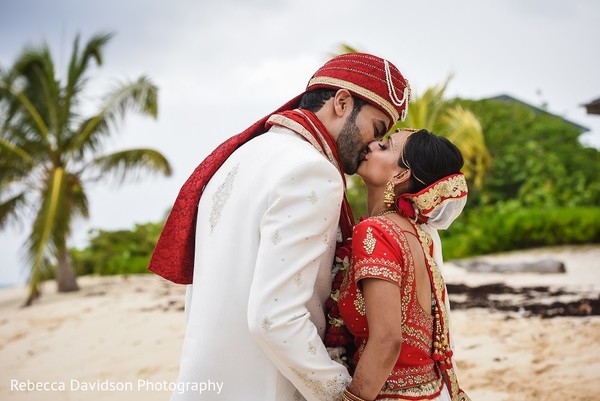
{"points": [[393, 298]]}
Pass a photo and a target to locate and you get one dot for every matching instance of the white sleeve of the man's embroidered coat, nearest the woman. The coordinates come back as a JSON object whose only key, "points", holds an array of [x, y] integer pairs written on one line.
{"points": [[302, 214]]}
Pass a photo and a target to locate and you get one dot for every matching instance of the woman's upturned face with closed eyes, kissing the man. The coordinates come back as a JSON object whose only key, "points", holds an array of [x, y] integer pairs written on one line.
{"points": [[380, 164]]}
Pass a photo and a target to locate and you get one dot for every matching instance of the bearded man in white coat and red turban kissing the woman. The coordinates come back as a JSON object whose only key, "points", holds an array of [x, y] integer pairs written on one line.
{"points": [[254, 229]]}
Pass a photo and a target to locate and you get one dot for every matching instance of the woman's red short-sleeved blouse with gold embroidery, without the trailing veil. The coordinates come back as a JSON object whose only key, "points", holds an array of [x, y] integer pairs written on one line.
{"points": [[380, 250]]}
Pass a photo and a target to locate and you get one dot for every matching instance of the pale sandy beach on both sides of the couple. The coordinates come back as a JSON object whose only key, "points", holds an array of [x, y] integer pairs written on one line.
{"points": [[120, 337]]}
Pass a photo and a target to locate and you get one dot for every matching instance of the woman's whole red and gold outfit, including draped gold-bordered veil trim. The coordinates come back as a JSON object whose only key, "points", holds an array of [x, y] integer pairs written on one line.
{"points": [[380, 250]]}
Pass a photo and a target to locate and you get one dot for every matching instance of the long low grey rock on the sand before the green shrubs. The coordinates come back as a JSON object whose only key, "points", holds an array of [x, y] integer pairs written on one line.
{"points": [[541, 266]]}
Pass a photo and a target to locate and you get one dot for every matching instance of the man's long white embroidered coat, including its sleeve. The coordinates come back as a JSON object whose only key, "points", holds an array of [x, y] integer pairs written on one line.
{"points": [[265, 242]]}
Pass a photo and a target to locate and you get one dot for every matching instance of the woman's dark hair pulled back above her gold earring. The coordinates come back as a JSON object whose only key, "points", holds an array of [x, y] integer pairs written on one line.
{"points": [[430, 158]]}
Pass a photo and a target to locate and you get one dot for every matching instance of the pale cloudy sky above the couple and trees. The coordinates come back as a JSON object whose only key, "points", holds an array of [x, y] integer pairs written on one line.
{"points": [[222, 65]]}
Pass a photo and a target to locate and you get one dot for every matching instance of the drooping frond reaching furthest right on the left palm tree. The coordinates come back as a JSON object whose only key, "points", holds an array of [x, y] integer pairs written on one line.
{"points": [[127, 164]]}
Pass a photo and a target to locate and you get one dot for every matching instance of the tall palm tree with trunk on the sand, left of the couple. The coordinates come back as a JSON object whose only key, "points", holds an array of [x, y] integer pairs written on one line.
{"points": [[49, 151]]}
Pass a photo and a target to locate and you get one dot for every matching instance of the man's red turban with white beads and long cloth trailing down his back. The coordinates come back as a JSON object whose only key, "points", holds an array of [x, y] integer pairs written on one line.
{"points": [[368, 77]]}
